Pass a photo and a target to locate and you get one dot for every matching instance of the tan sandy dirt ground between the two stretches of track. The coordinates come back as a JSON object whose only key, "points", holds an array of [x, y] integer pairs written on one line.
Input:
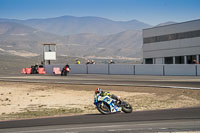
{"points": [[20, 100]]}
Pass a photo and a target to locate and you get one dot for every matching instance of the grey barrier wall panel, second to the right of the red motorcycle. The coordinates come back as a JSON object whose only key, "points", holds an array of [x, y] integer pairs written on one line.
{"points": [[97, 68]]}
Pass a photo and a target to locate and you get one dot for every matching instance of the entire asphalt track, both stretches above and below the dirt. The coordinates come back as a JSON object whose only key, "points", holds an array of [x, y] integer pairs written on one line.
{"points": [[146, 121]]}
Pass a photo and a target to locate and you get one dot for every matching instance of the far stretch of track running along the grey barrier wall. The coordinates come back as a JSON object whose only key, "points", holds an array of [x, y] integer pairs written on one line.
{"points": [[190, 82]]}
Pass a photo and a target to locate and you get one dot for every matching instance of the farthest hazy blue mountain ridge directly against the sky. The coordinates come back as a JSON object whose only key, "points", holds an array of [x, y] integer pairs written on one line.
{"points": [[67, 25]]}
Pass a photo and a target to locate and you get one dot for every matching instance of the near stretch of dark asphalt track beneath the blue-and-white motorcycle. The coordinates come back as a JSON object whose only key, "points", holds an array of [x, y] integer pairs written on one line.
{"points": [[162, 120]]}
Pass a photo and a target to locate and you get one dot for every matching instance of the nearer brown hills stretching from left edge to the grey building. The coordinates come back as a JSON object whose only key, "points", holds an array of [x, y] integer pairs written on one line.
{"points": [[19, 39]]}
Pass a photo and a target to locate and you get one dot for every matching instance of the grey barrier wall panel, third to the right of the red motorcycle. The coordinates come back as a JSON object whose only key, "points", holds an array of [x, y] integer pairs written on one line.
{"points": [[121, 69]]}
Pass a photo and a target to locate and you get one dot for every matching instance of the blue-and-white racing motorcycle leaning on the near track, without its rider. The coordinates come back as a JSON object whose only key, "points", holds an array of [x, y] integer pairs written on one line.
{"points": [[107, 105]]}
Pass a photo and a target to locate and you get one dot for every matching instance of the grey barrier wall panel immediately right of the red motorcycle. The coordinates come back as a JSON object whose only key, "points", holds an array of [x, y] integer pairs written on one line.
{"points": [[78, 69]]}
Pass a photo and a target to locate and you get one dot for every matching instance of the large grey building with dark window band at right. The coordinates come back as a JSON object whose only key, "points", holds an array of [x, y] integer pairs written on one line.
{"points": [[172, 44]]}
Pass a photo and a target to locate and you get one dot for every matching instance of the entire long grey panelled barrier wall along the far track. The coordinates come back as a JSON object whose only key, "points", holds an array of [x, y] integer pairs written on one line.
{"points": [[131, 69]]}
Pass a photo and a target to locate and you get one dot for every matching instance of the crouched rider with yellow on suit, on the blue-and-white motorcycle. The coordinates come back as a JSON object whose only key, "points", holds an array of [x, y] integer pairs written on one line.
{"points": [[106, 93]]}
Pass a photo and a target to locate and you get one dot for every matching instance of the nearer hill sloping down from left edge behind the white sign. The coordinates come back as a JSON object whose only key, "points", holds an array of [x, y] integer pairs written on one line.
{"points": [[14, 36]]}
